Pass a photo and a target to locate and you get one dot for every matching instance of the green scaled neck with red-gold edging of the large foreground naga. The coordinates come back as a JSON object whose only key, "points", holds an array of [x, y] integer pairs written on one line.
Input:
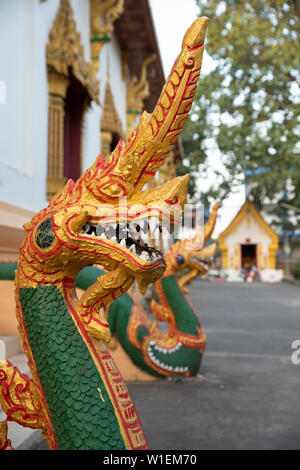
{"points": [[88, 402]]}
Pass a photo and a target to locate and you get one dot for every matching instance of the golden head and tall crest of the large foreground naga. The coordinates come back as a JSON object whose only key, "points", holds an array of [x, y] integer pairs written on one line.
{"points": [[101, 218]]}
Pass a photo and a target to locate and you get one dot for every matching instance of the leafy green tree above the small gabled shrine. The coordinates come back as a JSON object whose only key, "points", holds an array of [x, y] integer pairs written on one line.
{"points": [[248, 105]]}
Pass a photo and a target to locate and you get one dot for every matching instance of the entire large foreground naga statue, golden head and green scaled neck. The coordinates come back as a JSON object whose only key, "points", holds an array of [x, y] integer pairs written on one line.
{"points": [[76, 395]]}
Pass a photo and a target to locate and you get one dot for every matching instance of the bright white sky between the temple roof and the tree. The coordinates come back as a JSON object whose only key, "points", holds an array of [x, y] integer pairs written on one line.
{"points": [[171, 19]]}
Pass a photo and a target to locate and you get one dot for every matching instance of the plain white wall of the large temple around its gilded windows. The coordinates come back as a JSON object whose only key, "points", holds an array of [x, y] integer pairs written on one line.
{"points": [[24, 116]]}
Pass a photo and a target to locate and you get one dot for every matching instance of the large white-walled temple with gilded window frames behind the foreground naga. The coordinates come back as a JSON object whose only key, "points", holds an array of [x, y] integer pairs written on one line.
{"points": [[75, 77]]}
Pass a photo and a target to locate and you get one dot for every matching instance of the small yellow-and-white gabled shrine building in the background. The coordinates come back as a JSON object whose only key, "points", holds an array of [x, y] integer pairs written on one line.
{"points": [[249, 242]]}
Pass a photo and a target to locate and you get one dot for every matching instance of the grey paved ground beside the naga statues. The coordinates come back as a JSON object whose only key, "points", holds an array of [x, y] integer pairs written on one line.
{"points": [[247, 393]]}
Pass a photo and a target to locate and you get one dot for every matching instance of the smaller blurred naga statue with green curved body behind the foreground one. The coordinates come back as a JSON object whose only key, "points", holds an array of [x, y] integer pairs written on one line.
{"points": [[178, 351]]}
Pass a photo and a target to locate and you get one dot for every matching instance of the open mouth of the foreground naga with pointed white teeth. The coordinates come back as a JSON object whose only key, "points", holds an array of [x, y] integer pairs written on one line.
{"points": [[135, 236]]}
